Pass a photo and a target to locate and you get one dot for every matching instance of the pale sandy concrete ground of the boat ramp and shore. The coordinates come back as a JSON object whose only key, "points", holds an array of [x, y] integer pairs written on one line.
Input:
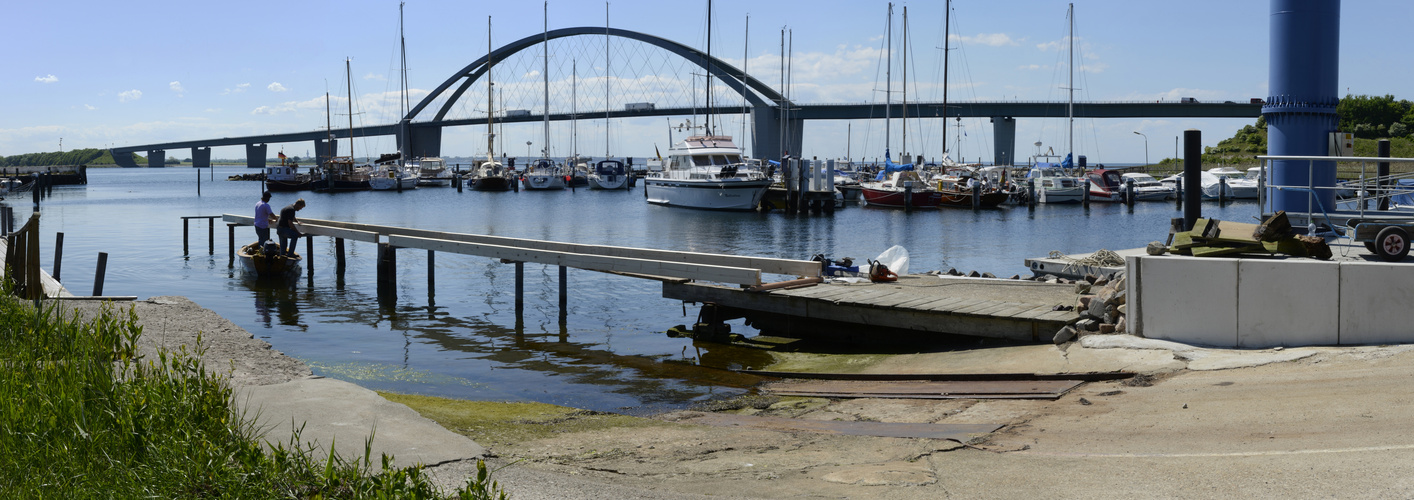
{"points": [[1300, 423]]}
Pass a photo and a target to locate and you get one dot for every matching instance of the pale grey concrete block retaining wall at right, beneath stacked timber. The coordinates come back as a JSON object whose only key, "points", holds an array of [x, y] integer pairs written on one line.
{"points": [[1259, 303]]}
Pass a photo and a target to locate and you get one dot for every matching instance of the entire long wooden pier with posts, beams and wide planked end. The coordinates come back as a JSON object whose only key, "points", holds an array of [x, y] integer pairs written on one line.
{"points": [[733, 286]]}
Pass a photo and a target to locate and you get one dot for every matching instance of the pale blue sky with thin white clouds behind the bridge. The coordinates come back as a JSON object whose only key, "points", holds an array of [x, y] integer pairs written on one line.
{"points": [[104, 74]]}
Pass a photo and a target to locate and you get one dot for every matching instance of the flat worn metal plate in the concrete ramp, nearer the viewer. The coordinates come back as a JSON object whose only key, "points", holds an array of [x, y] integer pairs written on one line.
{"points": [[961, 433]]}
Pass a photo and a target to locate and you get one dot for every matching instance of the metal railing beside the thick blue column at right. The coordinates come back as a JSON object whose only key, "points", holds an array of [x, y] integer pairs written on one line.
{"points": [[1369, 187]]}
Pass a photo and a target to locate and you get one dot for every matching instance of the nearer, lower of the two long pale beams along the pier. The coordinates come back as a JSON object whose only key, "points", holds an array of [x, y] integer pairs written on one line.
{"points": [[586, 262]]}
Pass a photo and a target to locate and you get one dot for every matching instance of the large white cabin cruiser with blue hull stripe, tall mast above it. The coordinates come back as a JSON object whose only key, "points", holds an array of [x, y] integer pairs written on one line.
{"points": [[708, 172]]}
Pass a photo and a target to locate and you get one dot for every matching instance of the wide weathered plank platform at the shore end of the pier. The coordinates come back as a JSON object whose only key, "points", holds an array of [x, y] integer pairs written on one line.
{"points": [[928, 304]]}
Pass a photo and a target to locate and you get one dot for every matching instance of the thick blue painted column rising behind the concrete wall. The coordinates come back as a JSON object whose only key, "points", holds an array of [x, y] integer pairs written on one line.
{"points": [[1300, 112]]}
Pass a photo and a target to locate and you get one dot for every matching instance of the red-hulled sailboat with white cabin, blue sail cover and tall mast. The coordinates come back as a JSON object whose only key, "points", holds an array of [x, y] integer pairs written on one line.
{"points": [[897, 186]]}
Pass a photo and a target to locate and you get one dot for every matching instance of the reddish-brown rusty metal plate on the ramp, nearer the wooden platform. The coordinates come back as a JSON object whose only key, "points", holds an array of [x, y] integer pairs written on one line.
{"points": [[927, 389]]}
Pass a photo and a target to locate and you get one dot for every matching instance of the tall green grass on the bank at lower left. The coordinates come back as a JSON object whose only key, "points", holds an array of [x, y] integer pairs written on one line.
{"points": [[81, 416]]}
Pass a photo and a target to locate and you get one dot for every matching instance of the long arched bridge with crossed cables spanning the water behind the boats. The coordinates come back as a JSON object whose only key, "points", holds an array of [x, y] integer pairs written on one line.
{"points": [[421, 129]]}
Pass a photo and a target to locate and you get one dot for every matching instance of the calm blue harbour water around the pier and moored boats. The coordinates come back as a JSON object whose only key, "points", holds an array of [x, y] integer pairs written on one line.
{"points": [[462, 340]]}
